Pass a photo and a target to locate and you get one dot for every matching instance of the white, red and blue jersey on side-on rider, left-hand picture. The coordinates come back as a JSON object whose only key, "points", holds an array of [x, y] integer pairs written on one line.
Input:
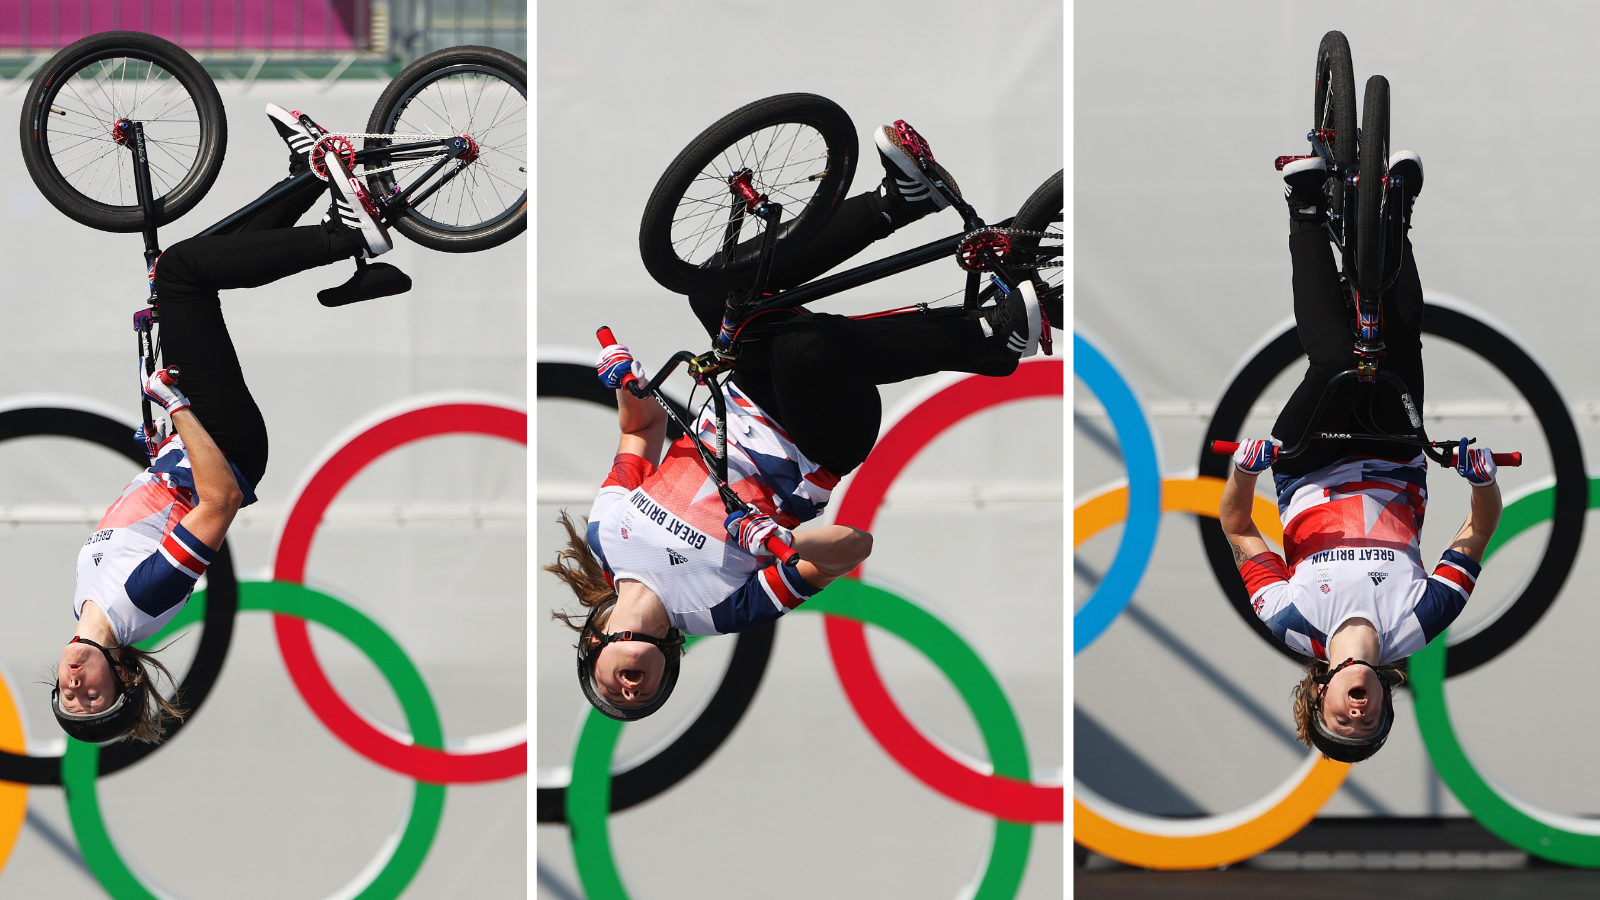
{"points": [[142, 565]]}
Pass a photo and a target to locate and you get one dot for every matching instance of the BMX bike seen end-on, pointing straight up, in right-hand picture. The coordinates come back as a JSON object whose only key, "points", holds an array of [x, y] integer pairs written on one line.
{"points": [[1367, 223]]}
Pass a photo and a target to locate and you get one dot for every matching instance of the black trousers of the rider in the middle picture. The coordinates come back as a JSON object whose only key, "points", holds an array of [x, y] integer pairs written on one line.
{"points": [[818, 374]]}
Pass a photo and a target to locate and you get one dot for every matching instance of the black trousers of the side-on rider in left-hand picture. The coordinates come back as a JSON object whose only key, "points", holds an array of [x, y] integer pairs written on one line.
{"points": [[194, 335]]}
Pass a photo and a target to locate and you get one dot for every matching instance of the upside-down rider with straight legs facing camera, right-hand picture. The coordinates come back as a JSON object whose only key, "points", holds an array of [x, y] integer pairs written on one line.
{"points": [[1351, 589]]}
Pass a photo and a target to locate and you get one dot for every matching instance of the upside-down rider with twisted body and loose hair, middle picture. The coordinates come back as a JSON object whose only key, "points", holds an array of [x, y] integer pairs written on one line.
{"points": [[662, 558]]}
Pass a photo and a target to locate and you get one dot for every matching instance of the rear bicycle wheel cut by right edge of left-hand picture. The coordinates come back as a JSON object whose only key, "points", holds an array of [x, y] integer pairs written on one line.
{"points": [[422, 100]]}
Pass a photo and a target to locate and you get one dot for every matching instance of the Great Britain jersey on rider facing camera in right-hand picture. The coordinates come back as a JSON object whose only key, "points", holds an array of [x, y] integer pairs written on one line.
{"points": [[1351, 539]]}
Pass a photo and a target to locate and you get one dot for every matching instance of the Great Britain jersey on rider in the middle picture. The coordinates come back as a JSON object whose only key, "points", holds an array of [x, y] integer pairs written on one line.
{"points": [[665, 526]]}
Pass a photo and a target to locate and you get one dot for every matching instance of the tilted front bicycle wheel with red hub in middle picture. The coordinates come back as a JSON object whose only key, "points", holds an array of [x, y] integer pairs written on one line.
{"points": [[684, 251]]}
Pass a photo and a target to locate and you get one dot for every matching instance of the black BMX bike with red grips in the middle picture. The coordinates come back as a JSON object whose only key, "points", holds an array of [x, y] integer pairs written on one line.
{"points": [[751, 191]]}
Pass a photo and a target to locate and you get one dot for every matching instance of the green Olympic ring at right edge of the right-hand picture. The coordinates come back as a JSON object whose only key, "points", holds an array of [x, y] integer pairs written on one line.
{"points": [[1553, 837]]}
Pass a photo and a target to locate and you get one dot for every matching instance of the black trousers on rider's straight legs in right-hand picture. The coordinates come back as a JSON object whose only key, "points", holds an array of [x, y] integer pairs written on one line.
{"points": [[1324, 324]]}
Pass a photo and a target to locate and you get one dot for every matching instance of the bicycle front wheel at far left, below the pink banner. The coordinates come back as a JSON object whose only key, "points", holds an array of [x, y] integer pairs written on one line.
{"points": [[177, 180]]}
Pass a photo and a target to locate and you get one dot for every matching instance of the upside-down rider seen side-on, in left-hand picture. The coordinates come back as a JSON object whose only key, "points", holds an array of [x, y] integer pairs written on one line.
{"points": [[210, 454]]}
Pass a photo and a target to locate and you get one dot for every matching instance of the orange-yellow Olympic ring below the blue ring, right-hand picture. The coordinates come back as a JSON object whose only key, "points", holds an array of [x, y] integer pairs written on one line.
{"points": [[1217, 840]]}
